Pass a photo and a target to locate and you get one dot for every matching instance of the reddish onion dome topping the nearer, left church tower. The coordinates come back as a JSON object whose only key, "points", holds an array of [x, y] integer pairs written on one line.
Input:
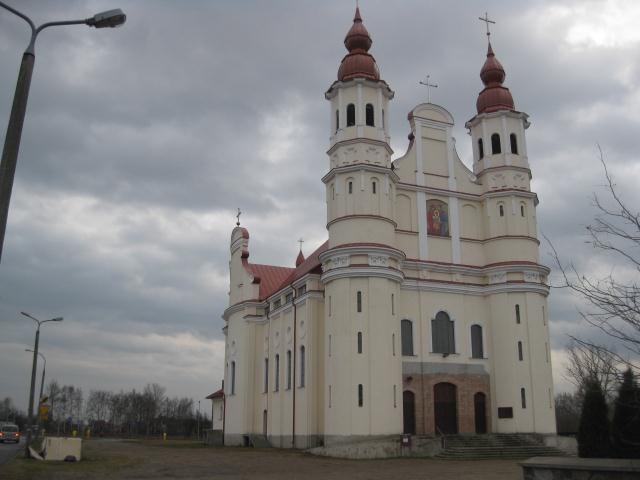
{"points": [[358, 63]]}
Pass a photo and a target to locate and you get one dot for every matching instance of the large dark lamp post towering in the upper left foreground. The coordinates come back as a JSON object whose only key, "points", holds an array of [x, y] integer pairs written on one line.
{"points": [[111, 18]]}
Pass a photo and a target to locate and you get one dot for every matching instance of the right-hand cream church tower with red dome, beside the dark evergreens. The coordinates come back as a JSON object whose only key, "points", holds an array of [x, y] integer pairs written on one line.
{"points": [[518, 315]]}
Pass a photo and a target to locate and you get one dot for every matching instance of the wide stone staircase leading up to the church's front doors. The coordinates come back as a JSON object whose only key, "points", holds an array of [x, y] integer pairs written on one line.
{"points": [[498, 445]]}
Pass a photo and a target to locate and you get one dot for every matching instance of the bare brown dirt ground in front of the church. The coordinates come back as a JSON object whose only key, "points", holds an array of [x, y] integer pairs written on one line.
{"points": [[122, 459]]}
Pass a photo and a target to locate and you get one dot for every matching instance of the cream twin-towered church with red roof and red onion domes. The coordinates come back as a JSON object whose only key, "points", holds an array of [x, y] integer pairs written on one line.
{"points": [[425, 311]]}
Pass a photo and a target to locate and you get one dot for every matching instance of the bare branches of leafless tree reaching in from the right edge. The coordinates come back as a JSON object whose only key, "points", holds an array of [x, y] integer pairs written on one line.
{"points": [[613, 302]]}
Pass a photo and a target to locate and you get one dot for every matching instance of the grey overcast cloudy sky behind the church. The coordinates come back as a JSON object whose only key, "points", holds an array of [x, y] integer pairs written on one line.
{"points": [[140, 143]]}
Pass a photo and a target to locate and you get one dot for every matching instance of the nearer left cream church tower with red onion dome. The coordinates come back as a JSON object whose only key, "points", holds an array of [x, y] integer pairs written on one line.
{"points": [[361, 267]]}
